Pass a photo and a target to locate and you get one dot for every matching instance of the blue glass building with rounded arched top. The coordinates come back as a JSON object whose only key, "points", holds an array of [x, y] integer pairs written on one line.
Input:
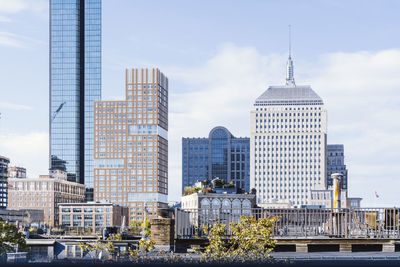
{"points": [[220, 155]]}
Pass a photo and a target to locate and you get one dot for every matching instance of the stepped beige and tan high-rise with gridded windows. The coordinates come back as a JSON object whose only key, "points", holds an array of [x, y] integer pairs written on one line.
{"points": [[131, 145]]}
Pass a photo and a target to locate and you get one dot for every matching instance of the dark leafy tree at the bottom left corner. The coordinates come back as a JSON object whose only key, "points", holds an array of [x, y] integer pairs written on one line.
{"points": [[10, 237]]}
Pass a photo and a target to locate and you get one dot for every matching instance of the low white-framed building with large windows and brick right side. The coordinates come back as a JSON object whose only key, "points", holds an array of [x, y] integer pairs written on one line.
{"points": [[92, 215]]}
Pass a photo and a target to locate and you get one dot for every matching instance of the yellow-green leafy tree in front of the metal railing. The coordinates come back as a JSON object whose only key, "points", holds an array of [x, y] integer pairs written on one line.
{"points": [[250, 240]]}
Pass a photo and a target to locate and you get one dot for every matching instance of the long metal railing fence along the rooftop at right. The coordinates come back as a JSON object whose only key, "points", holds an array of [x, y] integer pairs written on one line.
{"points": [[297, 223]]}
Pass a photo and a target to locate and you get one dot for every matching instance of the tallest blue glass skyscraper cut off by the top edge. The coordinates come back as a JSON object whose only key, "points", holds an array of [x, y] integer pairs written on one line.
{"points": [[75, 83]]}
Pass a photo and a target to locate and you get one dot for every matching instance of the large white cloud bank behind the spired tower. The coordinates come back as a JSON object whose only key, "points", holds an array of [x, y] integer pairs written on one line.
{"points": [[360, 90]]}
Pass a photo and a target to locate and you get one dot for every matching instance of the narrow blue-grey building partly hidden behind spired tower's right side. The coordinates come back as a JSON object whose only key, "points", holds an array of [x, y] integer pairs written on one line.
{"points": [[335, 164]]}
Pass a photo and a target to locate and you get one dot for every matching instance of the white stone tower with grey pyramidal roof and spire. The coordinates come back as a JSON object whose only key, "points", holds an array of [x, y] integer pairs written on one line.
{"points": [[287, 143]]}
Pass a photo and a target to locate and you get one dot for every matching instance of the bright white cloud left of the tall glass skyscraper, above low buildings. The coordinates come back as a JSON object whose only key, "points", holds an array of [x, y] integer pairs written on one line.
{"points": [[27, 150]]}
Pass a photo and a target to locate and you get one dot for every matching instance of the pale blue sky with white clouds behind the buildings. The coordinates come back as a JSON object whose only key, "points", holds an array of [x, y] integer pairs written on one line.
{"points": [[219, 57]]}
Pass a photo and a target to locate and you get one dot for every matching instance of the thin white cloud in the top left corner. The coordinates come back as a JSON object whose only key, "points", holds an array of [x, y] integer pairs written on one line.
{"points": [[15, 6]]}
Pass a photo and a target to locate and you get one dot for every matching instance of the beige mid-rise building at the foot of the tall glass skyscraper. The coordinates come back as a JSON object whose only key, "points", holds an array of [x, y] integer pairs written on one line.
{"points": [[44, 193]]}
